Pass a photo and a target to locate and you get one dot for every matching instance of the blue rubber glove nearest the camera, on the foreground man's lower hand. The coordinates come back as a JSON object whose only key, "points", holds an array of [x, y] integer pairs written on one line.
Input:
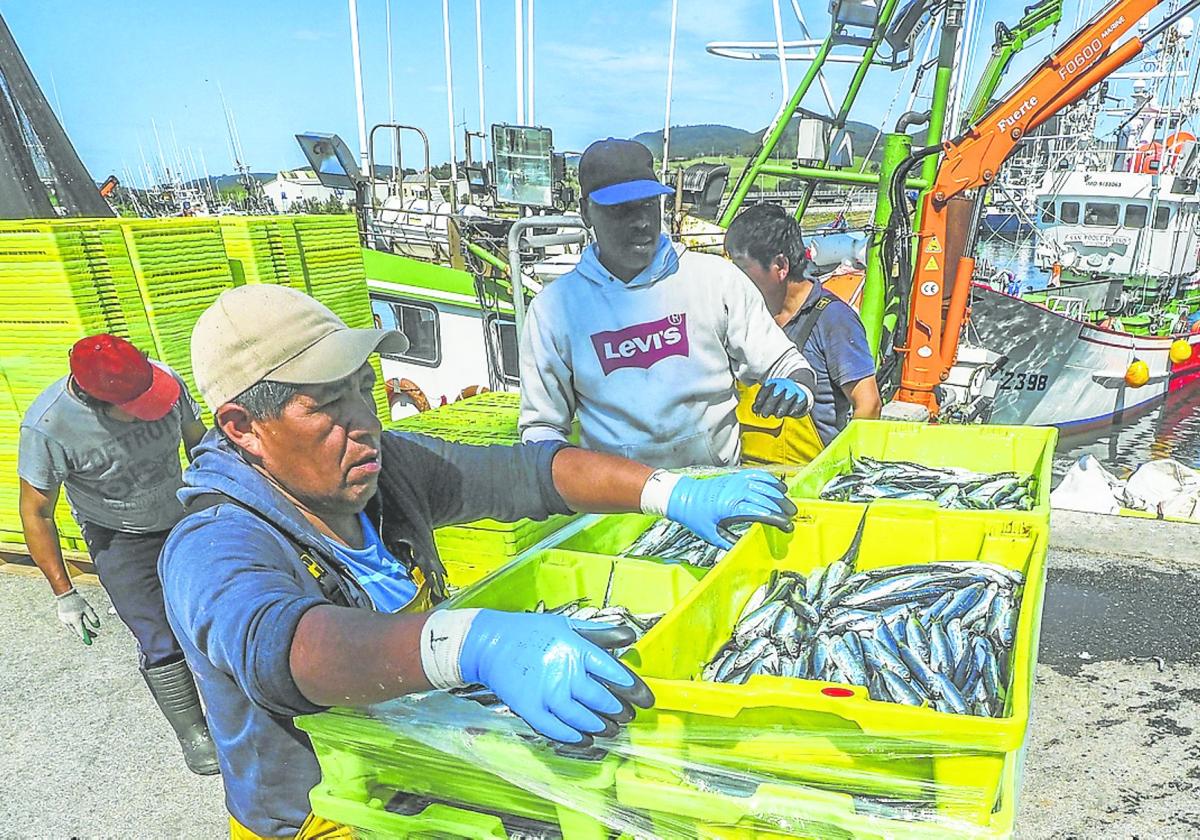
{"points": [[555, 673]]}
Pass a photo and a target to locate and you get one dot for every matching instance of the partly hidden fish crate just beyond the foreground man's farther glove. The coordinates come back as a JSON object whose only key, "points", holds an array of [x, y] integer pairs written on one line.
{"points": [[646, 537]]}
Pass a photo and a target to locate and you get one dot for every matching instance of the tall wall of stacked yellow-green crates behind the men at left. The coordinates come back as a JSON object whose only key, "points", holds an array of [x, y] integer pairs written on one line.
{"points": [[147, 281]]}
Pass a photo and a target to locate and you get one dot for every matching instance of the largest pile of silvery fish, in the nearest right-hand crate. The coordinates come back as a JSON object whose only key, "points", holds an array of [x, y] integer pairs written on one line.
{"points": [[937, 634]]}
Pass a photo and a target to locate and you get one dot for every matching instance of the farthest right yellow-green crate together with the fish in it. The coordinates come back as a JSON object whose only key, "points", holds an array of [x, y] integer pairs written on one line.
{"points": [[989, 469]]}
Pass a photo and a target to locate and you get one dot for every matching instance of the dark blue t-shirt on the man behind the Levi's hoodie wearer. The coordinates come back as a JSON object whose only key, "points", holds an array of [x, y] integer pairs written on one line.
{"points": [[838, 351]]}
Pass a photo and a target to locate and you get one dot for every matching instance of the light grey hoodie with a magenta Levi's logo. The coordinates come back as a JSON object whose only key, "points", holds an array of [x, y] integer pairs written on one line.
{"points": [[650, 367]]}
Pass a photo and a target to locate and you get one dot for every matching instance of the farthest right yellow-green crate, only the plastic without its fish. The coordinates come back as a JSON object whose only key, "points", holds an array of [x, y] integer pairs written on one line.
{"points": [[1025, 451]]}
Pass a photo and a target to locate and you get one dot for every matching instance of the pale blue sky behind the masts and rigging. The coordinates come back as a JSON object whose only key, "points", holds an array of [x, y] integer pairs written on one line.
{"points": [[285, 67]]}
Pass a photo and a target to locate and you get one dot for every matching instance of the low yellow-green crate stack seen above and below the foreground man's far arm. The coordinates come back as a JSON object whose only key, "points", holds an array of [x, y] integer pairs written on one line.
{"points": [[475, 550]]}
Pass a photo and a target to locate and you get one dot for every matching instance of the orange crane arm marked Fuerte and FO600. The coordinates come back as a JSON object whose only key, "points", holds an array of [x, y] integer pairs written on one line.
{"points": [[974, 160]]}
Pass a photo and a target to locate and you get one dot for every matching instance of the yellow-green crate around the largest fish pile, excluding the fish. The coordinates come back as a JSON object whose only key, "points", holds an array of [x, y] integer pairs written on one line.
{"points": [[836, 735]]}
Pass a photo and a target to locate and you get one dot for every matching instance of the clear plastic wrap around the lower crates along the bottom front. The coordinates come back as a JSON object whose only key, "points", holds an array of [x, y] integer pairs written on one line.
{"points": [[437, 752]]}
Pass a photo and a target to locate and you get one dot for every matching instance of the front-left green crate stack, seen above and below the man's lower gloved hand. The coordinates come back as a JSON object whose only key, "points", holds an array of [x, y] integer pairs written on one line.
{"points": [[371, 769]]}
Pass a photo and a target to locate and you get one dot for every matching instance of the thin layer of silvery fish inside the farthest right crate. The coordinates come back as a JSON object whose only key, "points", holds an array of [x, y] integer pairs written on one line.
{"points": [[949, 487]]}
